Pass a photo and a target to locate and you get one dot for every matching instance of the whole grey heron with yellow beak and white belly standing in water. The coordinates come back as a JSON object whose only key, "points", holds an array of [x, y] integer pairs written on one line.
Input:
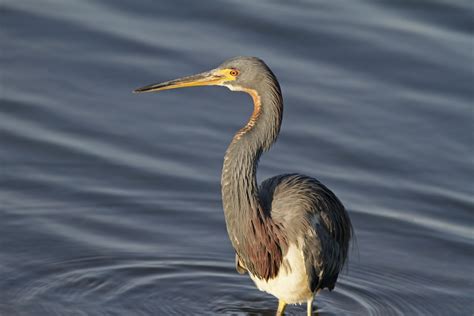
{"points": [[290, 234]]}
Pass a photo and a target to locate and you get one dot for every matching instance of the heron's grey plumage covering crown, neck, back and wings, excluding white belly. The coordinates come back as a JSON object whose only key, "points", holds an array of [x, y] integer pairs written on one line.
{"points": [[285, 207]]}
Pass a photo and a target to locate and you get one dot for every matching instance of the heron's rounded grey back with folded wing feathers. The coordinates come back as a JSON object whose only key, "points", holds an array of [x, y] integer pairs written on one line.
{"points": [[313, 218]]}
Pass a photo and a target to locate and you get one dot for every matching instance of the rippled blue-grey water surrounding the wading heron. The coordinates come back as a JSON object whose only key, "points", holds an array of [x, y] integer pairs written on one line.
{"points": [[110, 202]]}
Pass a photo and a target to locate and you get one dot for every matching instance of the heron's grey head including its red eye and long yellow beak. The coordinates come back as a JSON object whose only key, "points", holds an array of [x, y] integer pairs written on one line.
{"points": [[237, 74]]}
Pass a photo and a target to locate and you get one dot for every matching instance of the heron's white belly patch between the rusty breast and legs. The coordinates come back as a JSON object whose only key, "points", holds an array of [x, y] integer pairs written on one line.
{"points": [[291, 283]]}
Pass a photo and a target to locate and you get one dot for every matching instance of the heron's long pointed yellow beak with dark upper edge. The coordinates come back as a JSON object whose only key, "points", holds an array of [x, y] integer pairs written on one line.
{"points": [[208, 78]]}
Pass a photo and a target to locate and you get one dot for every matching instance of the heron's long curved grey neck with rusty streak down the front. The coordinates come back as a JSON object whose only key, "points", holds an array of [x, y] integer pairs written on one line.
{"points": [[247, 221]]}
